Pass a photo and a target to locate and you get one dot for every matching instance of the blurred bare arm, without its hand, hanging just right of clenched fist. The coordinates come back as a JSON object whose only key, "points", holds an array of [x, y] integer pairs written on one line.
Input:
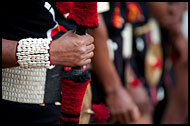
{"points": [[102, 64]]}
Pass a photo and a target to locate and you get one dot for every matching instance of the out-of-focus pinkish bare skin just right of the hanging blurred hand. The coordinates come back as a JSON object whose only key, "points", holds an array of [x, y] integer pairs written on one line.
{"points": [[140, 97]]}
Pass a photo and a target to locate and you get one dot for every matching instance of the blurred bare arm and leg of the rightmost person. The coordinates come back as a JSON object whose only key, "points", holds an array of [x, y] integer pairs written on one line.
{"points": [[170, 17]]}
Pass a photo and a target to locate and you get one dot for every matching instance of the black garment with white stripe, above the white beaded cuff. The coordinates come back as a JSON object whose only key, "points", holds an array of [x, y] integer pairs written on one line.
{"points": [[29, 19]]}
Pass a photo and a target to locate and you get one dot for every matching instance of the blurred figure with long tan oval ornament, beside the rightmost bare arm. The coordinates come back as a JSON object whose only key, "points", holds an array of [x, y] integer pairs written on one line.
{"points": [[144, 72]]}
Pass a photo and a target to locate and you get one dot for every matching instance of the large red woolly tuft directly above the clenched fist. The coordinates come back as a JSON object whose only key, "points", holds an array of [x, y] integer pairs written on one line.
{"points": [[84, 14]]}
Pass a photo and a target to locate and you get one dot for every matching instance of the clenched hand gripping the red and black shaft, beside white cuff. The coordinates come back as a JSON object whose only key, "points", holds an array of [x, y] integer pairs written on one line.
{"points": [[72, 50]]}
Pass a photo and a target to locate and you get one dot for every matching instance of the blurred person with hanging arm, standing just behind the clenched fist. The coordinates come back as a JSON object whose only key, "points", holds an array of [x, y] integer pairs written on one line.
{"points": [[107, 85]]}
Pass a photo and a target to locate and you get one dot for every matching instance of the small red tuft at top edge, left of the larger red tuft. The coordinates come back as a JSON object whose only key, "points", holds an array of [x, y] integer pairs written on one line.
{"points": [[64, 7]]}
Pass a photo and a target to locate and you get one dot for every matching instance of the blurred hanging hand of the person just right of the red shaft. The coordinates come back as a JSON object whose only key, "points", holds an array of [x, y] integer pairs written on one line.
{"points": [[121, 106]]}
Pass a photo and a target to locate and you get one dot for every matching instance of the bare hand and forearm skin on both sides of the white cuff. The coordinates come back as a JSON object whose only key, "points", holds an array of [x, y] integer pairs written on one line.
{"points": [[68, 50]]}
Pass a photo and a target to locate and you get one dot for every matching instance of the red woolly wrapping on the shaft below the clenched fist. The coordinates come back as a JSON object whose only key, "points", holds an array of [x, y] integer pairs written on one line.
{"points": [[72, 97]]}
